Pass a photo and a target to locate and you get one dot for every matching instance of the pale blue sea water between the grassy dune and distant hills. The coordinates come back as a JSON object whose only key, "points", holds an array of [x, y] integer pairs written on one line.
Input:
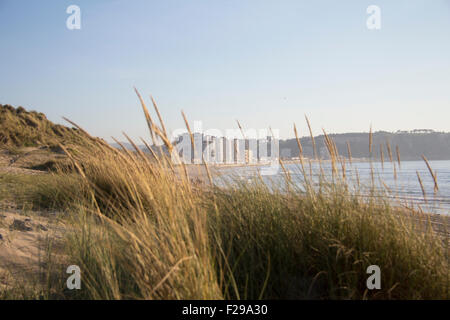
{"points": [[399, 182]]}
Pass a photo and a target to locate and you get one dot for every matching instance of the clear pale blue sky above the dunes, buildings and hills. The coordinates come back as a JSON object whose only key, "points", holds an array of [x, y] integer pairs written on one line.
{"points": [[264, 63]]}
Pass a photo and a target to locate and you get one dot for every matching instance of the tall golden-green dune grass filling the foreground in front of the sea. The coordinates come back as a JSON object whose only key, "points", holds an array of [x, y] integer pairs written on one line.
{"points": [[143, 230]]}
